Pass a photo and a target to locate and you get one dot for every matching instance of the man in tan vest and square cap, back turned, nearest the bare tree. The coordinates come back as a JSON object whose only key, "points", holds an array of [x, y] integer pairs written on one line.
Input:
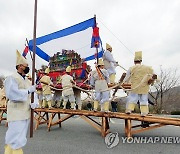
{"points": [[138, 75]]}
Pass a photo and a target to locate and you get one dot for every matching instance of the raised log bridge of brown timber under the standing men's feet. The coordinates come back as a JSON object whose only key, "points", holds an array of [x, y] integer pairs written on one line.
{"points": [[47, 116]]}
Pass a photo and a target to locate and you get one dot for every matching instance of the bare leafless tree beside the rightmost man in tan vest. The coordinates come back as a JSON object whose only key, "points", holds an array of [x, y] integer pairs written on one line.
{"points": [[168, 80]]}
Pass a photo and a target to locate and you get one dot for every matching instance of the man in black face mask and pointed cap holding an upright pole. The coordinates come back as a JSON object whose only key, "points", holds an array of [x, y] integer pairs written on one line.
{"points": [[18, 90]]}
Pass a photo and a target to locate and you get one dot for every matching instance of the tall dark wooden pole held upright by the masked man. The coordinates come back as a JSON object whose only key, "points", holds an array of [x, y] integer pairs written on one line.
{"points": [[33, 65]]}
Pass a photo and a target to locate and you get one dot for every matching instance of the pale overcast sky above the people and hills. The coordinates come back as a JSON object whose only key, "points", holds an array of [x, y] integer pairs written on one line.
{"points": [[152, 26]]}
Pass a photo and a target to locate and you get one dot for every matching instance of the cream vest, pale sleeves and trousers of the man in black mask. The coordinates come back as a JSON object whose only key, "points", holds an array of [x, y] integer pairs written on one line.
{"points": [[18, 110]]}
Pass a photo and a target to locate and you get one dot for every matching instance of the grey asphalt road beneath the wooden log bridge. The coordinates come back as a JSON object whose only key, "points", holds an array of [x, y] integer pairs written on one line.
{"points": [[78, 137]]}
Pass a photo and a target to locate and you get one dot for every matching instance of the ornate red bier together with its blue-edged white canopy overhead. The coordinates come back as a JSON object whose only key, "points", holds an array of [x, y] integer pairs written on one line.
{"points": [[83, 38]]}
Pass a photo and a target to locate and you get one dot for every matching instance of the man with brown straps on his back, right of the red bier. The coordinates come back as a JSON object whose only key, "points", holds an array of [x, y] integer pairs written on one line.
{"points": [[100, 79]]}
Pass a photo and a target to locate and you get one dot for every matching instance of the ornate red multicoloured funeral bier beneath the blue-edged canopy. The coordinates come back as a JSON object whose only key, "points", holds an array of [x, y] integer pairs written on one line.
{"points": [[61, 60]]}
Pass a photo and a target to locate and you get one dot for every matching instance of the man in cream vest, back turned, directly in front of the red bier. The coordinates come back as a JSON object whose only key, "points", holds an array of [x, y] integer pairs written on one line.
{"points": [[67, 84]]}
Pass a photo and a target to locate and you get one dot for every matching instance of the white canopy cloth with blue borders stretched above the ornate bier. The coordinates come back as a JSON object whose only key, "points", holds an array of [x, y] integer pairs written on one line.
{"points": [[82, 37]]}
